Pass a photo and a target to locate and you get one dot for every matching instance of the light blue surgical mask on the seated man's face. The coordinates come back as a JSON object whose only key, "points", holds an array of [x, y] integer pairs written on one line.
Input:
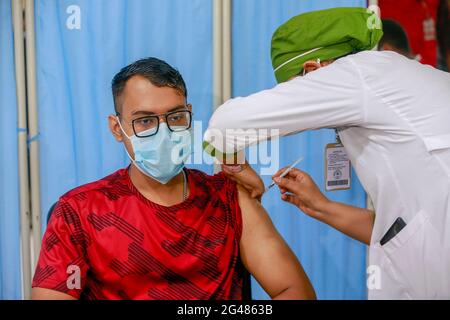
{"points": [[161, 156]]}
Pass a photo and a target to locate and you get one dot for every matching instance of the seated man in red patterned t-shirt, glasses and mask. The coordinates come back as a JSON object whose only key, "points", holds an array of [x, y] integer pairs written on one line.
{"points": [[157, 230]]}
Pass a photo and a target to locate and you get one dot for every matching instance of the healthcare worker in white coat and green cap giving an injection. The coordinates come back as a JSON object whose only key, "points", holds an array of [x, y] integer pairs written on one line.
{"points": [[392, 115]]}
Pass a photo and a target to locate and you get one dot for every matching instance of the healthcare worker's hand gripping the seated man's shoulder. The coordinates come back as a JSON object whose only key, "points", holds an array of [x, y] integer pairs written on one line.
{"points": [[247, 177]]}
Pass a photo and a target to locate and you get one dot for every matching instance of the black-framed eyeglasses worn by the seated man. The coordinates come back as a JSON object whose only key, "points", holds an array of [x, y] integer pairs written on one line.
{"points": [[179, 120]]}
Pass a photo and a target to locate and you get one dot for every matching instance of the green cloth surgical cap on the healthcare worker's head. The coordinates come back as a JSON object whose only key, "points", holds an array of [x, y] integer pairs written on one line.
{"points": [[325, 35]]}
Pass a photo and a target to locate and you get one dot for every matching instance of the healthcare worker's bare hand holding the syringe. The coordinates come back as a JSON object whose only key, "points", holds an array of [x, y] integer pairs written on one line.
{"points": [[298, 188]]}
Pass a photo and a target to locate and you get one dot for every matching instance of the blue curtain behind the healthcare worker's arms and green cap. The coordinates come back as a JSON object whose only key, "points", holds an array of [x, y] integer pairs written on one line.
{"points": [[334, 262]]}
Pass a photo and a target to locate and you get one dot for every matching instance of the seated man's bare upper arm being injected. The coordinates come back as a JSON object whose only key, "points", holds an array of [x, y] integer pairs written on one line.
{"points": [[267, 257]]}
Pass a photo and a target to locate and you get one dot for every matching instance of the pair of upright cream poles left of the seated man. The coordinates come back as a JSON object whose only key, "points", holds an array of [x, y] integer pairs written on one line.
{"points": [[28, 145]]}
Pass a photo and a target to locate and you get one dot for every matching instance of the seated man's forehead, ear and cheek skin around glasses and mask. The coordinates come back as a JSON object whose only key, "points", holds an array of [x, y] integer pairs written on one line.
{"points": [[141, 98]]}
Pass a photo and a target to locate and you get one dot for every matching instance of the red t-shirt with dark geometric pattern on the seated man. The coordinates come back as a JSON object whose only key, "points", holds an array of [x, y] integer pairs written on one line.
{"points": [[122, 246]]}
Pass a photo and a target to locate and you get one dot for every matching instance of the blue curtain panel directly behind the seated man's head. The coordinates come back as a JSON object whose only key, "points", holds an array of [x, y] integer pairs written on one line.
{"points": [[81, 44]]}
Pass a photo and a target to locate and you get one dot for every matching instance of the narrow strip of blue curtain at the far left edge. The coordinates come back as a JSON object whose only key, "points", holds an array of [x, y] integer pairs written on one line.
{"points": [[10, 280]]}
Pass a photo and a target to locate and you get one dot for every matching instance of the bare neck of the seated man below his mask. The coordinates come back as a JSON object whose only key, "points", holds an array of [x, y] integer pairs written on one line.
{"points": [[167, 194]]}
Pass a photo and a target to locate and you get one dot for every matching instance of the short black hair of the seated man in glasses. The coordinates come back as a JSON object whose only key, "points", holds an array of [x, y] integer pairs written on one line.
{"points": [[157, 71]]}
